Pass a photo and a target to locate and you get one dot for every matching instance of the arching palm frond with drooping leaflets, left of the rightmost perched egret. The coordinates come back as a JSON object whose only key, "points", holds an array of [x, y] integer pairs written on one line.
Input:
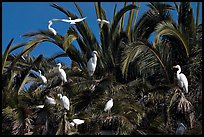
{"points": [[142, 55]]}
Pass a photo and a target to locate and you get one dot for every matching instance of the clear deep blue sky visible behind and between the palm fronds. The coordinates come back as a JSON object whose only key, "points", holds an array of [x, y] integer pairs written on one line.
{"points": [[19, 18]]}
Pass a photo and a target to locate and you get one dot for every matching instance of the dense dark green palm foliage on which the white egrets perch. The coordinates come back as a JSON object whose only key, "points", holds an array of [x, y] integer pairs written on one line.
{"points": [[136, 72]]}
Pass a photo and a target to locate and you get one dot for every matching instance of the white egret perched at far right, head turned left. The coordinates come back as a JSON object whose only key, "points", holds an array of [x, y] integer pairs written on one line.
{"points": [[182, 80]]}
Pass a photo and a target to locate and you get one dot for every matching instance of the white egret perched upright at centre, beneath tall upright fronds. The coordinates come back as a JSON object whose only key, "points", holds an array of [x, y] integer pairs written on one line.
{"points": [[91, 65]]}
